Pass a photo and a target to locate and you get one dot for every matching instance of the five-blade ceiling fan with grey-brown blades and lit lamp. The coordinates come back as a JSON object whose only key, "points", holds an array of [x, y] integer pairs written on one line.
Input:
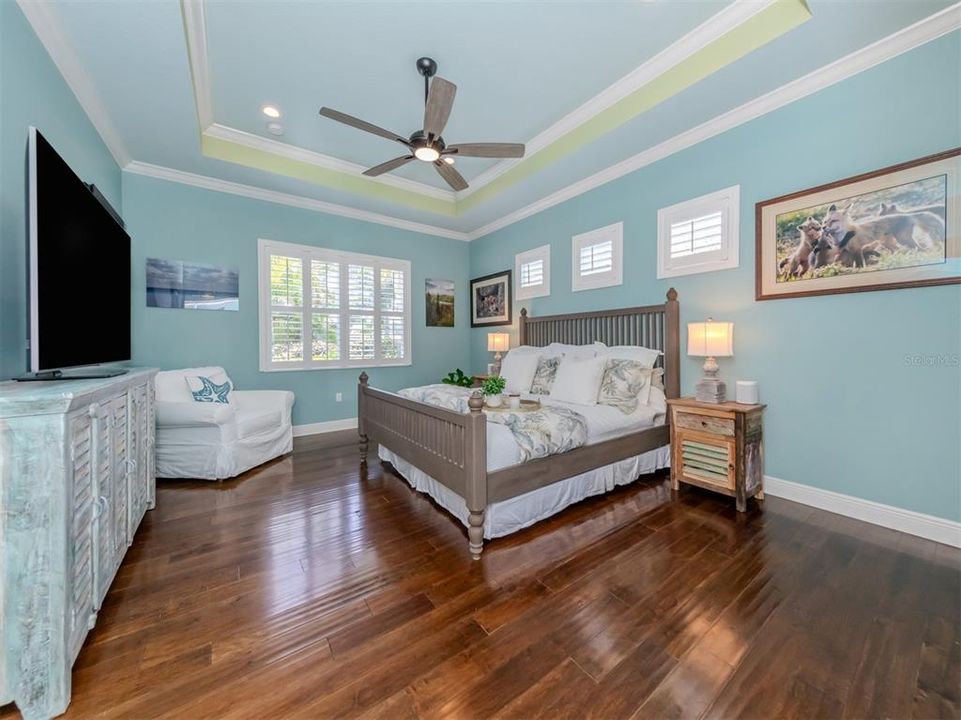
{"points": [[427, 144]]}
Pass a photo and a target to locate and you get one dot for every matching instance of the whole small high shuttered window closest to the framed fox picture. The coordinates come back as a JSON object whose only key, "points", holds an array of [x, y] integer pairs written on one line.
{"points": [[699, 235]]}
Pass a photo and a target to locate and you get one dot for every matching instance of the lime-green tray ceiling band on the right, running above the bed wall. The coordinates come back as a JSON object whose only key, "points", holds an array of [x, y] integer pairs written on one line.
{"points": [[770, 23]]}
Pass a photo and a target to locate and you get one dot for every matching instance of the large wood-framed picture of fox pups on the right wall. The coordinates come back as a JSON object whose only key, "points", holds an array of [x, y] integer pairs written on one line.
{"points": [[899, 227]]}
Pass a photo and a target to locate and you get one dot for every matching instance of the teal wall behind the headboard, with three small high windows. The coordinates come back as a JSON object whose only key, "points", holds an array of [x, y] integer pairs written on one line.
{"points": [[846, 411]]}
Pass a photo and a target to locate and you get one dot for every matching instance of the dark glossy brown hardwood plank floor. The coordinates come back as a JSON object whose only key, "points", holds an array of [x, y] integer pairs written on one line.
{"points": [[305, 590]]}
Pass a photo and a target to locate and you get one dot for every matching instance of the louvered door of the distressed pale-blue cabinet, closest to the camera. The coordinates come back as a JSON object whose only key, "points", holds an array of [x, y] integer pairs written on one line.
{"points": [[81, 585]]}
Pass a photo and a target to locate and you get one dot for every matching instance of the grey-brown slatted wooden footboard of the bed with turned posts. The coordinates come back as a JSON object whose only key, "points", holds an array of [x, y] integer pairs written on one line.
{"points": [[449, 446]]}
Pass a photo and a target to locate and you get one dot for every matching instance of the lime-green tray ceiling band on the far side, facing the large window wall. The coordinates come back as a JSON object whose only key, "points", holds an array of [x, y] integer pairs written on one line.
{"points": [[336, 179]]}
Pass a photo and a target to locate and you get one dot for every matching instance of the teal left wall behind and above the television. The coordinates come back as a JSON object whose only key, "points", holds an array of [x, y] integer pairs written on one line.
{"points": [[32, 92]]}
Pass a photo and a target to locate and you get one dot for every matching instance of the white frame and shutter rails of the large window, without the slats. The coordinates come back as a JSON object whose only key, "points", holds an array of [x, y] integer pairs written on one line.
{"points": [[266, 248]]}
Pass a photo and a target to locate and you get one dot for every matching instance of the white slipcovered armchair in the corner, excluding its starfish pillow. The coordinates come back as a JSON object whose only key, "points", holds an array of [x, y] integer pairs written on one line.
{"points": [[214, 441]]}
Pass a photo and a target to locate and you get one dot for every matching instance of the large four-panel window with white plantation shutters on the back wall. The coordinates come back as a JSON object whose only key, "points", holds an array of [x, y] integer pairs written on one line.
{"points": [[332, 309]]}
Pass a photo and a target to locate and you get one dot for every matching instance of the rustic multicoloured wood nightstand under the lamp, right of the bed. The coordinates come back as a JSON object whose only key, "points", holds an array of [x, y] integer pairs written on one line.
{"points": [[718, 446]]}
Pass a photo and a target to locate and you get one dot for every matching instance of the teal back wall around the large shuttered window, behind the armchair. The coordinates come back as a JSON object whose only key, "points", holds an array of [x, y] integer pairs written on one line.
{"points": [[179, 222]]}
